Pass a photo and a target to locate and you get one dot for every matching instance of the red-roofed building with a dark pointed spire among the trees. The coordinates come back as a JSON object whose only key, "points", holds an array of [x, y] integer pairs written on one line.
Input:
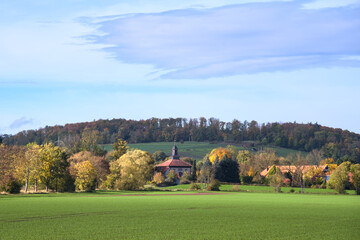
{"points": [[174, 163]]}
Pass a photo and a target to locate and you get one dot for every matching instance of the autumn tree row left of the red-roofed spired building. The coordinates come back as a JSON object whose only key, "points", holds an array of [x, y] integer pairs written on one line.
{"points": [[52, 167]]}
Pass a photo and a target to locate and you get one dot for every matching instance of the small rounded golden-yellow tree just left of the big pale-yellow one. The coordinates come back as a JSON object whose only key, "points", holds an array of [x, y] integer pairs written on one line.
{"points": [[85, 176]]}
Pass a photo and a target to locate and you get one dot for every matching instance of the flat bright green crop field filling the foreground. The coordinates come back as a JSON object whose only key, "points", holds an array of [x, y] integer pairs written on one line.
{"points": [[179, 215]]}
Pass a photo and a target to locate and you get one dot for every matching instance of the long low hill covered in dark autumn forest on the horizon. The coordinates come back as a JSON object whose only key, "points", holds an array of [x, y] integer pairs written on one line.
{"points": [[335, 143]]}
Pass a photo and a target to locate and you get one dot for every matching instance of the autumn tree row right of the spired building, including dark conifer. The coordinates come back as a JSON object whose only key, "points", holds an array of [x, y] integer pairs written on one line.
{"points": [[228, 165]]}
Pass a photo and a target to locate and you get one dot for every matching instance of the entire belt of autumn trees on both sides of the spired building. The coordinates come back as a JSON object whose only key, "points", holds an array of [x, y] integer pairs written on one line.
{"points": [[52, 167]]}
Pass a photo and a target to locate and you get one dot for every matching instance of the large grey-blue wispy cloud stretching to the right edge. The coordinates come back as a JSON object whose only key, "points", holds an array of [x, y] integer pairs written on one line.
{"points": [[236, 39]]}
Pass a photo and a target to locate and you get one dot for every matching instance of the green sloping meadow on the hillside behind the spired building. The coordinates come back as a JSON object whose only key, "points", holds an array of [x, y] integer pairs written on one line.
{"points": [[195, 150]]}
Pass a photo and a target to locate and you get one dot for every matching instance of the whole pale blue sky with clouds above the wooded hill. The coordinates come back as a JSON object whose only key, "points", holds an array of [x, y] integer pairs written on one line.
{"points": [[271, 61]]}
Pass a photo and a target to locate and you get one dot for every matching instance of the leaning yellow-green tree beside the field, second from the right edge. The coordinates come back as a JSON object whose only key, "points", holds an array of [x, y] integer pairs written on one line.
{"points": [[340, 177]]}
